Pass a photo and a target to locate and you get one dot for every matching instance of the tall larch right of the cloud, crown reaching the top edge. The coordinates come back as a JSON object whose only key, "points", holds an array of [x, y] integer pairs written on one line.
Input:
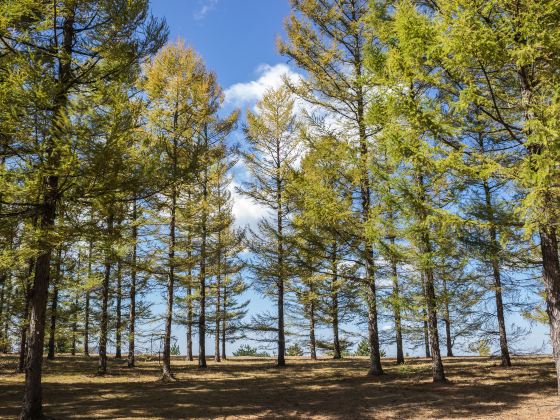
{"points": [[327, 39]]}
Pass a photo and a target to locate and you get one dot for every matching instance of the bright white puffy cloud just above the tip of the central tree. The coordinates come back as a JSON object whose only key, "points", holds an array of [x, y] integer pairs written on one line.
{"points": [[269, 77]]}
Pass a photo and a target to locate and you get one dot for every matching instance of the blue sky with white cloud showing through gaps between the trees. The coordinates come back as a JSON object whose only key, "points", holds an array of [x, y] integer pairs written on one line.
{"points": [[237, 40]]}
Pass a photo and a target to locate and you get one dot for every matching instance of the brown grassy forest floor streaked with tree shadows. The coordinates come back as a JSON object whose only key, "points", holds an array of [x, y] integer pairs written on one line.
{"points": [[251, 388]]}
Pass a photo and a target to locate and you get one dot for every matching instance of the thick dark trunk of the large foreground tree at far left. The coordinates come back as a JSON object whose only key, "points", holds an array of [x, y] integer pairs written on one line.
{"points": [[33, 401]]}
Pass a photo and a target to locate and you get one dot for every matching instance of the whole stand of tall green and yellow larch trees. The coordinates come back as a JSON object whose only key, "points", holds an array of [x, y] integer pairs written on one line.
{"points": [[410, 176]]}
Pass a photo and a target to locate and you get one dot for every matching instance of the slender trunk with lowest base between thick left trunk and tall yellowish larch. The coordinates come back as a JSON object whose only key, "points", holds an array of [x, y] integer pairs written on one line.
{"points": [[102, 367]]}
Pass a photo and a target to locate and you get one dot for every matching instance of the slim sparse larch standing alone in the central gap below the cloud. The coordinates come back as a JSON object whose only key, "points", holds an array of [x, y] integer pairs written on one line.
{"points": [[273, 150]]}
